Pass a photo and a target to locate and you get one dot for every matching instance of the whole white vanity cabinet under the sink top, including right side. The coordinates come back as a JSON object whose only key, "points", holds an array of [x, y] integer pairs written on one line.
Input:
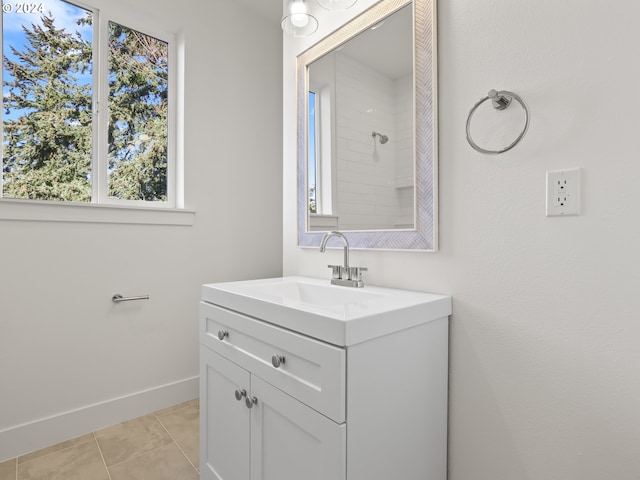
{"points": [[279, 404]]}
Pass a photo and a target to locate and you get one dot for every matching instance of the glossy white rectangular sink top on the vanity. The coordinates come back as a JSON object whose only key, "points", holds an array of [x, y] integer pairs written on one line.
{"points": [[339, 315]]}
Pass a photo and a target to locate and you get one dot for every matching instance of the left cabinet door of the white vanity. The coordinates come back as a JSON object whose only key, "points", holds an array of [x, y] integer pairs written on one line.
{"points": [[224, 421]]}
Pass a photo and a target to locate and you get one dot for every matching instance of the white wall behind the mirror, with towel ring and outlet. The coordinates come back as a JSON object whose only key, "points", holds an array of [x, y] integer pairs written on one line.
{"points": [[545, 364]]}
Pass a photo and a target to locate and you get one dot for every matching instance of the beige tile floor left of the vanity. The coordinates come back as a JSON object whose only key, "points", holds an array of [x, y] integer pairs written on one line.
{"points": [[159, 446]]}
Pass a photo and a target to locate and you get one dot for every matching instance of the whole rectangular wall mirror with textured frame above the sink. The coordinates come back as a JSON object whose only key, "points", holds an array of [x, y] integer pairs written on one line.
{"points": [[367, 130]]}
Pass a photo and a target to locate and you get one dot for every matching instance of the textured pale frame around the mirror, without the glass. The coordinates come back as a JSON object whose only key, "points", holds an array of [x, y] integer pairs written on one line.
{"points": [[424, 235]]}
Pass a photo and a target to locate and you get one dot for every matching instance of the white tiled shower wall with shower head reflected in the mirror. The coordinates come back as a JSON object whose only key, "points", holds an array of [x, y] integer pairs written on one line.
{"points": [[375, 179]]}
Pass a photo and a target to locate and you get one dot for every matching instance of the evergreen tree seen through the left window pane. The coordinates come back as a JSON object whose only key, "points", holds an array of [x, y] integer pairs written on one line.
{"points": [[47, 148]]}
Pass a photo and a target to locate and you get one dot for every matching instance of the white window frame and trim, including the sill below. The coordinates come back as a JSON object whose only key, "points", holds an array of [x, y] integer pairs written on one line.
{"points": [[103, 209]]}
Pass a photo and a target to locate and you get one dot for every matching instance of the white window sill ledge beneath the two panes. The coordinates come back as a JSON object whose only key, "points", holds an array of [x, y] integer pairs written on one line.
{"points": [[42, 211]]}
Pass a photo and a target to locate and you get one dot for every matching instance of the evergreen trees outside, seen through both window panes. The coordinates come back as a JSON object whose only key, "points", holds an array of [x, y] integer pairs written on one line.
{"points": [[48, 134]]}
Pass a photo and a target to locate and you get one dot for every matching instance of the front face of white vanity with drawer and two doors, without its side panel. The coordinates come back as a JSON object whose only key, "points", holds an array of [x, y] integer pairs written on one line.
{"points": [[251, 429]]}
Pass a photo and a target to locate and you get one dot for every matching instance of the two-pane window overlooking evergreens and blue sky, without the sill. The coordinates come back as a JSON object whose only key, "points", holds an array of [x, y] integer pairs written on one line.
{"points": [[88, 107]]}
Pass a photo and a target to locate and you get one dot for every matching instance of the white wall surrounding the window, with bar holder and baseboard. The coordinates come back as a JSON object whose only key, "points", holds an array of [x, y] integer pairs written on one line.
{"points": [[71, 361]]}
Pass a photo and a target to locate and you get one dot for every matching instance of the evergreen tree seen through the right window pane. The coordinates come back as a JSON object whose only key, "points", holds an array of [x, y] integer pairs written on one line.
{"points": [[138, 80]]}
